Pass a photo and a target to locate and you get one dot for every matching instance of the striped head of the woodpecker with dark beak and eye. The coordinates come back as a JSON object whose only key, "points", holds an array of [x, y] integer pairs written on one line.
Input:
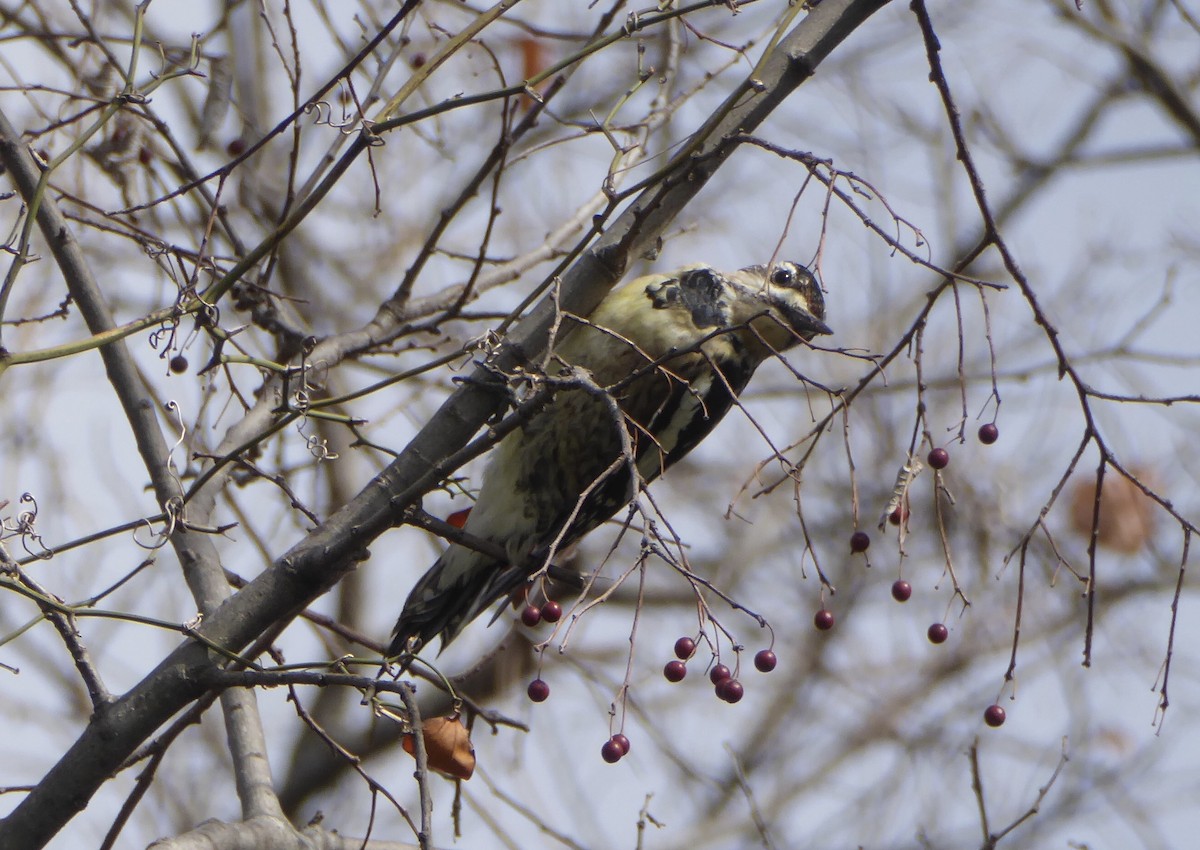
{"points": [[783, 303]]}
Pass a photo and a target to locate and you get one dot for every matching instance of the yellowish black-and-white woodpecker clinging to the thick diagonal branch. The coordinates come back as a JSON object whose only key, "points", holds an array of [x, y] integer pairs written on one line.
{"points": [[662, 360]]}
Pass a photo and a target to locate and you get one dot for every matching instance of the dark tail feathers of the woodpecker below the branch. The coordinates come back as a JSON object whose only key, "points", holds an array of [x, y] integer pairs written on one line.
{"points": [[460, 585]]}
